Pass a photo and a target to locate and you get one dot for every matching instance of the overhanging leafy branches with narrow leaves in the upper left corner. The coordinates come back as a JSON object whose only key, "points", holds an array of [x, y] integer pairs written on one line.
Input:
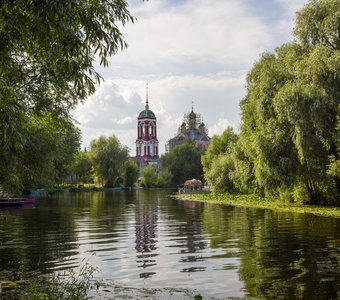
{"points": [[48, 48]]}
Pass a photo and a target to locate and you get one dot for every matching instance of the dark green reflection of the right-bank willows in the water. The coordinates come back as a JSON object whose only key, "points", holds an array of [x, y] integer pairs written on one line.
{"points": [[282, 255]]}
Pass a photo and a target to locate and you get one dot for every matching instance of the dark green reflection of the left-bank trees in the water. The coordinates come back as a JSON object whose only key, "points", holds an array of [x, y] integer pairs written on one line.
{"points": [[46, 238]]}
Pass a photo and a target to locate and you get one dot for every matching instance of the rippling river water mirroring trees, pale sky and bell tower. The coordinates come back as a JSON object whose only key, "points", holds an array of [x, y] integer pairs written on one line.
{"points": [[150, 242]]}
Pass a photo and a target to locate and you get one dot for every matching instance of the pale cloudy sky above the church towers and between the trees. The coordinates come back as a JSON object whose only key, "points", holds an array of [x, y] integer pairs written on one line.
{"points": [[187, 51]]}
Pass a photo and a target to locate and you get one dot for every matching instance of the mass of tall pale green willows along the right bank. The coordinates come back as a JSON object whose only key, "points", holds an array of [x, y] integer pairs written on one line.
{"points": [[289, 139]]}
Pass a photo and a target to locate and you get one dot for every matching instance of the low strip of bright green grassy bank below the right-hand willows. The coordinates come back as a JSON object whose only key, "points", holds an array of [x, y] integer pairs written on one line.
{"points": [[265, 203]]}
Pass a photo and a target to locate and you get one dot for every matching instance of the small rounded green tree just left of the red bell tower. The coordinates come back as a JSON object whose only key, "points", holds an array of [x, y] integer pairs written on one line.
{"points": [[108, 157]]}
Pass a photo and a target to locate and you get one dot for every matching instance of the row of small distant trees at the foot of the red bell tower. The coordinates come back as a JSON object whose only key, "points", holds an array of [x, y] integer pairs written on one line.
{"points": [[108, 161]]}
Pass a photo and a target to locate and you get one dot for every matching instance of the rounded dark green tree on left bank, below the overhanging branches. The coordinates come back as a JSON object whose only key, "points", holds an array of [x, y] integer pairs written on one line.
{"points": [[48, 149]]}
